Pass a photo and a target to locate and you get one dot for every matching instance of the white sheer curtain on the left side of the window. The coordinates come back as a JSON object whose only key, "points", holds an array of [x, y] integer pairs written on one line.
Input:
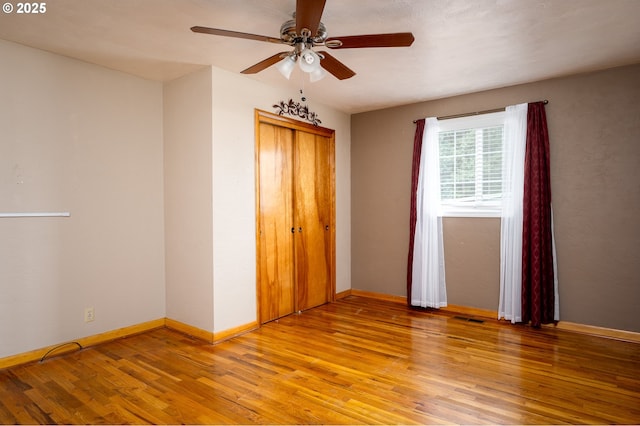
{"points": [[429, 285]]}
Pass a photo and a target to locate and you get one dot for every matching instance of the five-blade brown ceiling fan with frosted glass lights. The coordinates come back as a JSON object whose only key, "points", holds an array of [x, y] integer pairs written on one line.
{"points": [[303, 33]]}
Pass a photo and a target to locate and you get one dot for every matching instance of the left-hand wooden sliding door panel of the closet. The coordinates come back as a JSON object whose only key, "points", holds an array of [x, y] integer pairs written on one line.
{"points": [[275, 210]]}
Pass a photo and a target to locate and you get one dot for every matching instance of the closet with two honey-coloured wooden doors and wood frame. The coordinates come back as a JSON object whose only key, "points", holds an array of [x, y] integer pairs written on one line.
{"points": [[295, 215]]}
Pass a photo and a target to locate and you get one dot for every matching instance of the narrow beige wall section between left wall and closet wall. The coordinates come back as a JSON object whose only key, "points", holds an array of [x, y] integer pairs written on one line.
{"points": [[188, 205]]}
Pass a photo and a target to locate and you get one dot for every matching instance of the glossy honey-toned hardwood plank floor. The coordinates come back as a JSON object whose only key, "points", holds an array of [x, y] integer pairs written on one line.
{"points": [[356, 361]]}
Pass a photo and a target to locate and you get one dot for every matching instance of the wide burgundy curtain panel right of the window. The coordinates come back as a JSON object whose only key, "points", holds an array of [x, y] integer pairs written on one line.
{"points": [[537, 252]]}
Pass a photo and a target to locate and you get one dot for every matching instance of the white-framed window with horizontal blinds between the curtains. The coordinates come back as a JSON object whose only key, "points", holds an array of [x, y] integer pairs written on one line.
{"points": [[470, 155]]}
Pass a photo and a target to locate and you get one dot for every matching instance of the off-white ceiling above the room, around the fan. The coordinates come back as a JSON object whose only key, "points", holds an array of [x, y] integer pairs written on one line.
{"points": [[461, 46]]}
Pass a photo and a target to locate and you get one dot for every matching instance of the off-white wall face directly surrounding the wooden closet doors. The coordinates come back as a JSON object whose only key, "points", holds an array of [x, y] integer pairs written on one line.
{"points": [[235, 97]]}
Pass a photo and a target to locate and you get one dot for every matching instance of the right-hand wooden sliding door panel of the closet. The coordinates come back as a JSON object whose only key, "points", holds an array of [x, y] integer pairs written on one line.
{"points": [[312, 209]]}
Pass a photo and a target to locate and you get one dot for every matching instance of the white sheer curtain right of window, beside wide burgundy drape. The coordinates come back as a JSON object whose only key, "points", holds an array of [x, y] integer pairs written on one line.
{"points": [[514, 145]]}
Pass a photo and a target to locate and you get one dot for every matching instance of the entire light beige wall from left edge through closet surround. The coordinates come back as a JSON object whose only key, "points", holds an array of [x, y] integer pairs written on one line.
{"points": [[139, 165]]}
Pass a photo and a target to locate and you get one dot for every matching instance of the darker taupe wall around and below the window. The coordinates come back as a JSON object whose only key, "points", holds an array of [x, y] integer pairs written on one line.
{"points": [[594, 128]]}
